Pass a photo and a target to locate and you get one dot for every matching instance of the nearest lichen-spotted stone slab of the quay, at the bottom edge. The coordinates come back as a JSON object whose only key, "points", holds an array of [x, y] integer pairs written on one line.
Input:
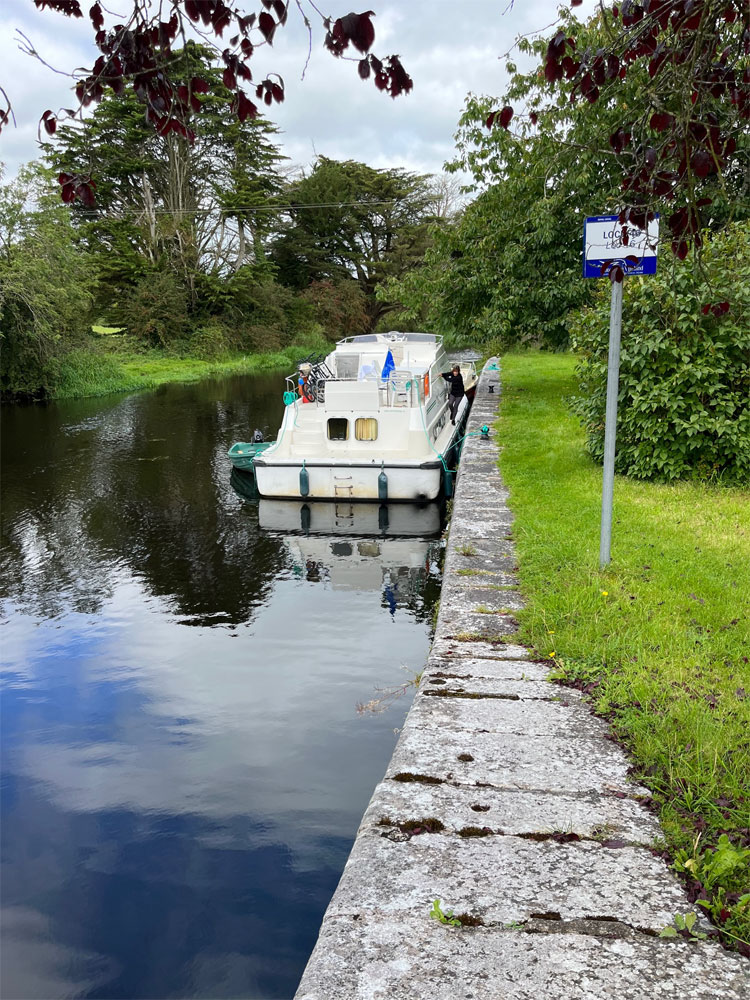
{"points": [[375, 959]]}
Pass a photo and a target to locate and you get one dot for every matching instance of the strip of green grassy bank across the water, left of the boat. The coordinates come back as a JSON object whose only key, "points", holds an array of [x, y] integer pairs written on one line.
{"points": [[119, 369]]}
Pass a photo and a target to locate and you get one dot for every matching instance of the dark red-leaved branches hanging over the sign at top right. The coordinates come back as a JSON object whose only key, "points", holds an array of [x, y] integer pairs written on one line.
{"points": [[684, 140]]}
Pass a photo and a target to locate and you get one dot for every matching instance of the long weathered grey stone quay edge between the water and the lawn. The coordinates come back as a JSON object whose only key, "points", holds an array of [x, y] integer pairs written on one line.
{"points": [[507, 801]]}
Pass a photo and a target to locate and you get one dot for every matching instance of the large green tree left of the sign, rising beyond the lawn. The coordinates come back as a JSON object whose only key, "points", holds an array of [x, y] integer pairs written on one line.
{"points": [[511, 267]]}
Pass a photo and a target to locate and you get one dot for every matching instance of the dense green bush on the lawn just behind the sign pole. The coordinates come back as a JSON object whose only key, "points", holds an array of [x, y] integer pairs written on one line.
{"points": [[684, 399]]}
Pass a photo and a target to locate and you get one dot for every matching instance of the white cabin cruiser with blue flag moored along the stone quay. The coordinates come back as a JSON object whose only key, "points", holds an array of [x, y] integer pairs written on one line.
{"points": [[370, 422]]}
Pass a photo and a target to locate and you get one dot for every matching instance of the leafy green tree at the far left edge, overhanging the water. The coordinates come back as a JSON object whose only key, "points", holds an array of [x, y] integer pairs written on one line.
{"points": [[45, 284]]}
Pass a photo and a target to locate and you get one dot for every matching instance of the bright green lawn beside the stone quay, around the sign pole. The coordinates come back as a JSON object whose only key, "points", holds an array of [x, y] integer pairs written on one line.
{"points": [[660, 641]]}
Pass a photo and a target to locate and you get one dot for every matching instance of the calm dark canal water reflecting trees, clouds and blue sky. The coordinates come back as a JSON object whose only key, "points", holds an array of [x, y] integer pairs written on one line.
{"points": [[184, 767]]}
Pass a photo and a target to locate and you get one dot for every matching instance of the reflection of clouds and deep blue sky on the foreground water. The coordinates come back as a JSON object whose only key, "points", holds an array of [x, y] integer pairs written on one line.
{"points": [[179, 801]]}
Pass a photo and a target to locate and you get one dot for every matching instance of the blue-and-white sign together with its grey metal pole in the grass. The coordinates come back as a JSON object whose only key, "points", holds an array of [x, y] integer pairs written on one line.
{"points": [[608, 243]]}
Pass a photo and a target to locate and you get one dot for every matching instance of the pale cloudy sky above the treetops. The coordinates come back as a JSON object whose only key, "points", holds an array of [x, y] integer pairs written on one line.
{"points": [[449, 47]]}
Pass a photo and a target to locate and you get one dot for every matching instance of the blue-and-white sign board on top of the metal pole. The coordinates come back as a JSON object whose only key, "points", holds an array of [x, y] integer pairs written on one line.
{"points": [[606, 242]]}
